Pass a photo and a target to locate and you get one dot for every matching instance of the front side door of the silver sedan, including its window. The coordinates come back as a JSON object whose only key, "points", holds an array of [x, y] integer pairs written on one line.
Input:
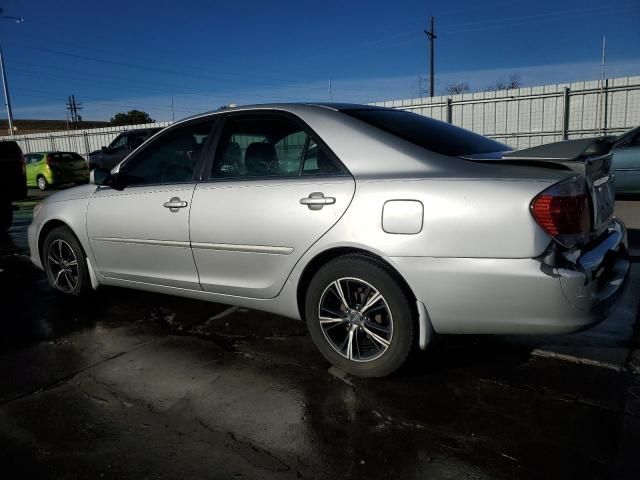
{"points": [[141, 234]]}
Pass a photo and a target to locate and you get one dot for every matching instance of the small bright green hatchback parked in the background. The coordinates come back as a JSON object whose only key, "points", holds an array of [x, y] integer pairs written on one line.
{"points": [[55, 168]]}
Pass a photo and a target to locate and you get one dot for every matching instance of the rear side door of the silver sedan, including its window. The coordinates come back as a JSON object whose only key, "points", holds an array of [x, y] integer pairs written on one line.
{"points": [[274, 190]]}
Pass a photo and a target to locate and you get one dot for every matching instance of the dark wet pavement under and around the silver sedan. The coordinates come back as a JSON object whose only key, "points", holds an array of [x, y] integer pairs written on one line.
{"points": [[128, 384]]}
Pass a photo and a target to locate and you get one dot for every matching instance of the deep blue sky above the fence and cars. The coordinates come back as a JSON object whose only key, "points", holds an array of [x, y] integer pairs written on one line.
{"points": [[119, 55]]}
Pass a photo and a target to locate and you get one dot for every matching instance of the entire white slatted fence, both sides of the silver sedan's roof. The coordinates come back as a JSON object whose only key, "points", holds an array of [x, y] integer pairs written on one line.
{"points": [[521, 117]]}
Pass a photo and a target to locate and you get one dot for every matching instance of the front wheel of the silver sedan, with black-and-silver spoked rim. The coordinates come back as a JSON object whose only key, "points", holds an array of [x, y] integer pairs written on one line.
{"points": [[64, 262]]}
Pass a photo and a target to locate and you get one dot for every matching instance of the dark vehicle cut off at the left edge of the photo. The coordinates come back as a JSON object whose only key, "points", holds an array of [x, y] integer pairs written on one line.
{"points": [[13, 182]]}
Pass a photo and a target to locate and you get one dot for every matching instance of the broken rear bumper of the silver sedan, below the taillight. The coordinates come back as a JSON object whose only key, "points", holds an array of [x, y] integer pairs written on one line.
{"points": [[547, 295]]}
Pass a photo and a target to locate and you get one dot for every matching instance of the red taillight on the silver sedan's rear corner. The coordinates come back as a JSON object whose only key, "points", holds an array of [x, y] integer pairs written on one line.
{"points": [[564, 212]]}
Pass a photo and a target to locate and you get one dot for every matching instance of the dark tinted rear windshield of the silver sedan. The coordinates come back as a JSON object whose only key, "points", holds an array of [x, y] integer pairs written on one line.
{"points": [[434, 135]]}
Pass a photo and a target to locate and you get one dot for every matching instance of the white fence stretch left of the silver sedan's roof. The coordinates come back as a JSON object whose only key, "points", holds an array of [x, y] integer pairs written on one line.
{"points": [[80, 141]]}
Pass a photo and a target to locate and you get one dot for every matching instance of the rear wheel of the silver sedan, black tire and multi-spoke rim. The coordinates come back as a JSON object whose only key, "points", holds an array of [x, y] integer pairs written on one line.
{"points": [[360, 317]]}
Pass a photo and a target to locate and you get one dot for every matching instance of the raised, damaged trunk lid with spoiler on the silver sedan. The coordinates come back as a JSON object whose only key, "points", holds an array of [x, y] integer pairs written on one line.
{"points": [[589, 158]]}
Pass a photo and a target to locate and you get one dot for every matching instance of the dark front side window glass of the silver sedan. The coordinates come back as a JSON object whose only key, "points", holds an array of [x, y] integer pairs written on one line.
{"points": [[172, 158]]}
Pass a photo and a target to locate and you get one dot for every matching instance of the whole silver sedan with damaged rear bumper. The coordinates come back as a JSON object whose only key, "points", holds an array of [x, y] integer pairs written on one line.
{"points": [[378, 227]]}
